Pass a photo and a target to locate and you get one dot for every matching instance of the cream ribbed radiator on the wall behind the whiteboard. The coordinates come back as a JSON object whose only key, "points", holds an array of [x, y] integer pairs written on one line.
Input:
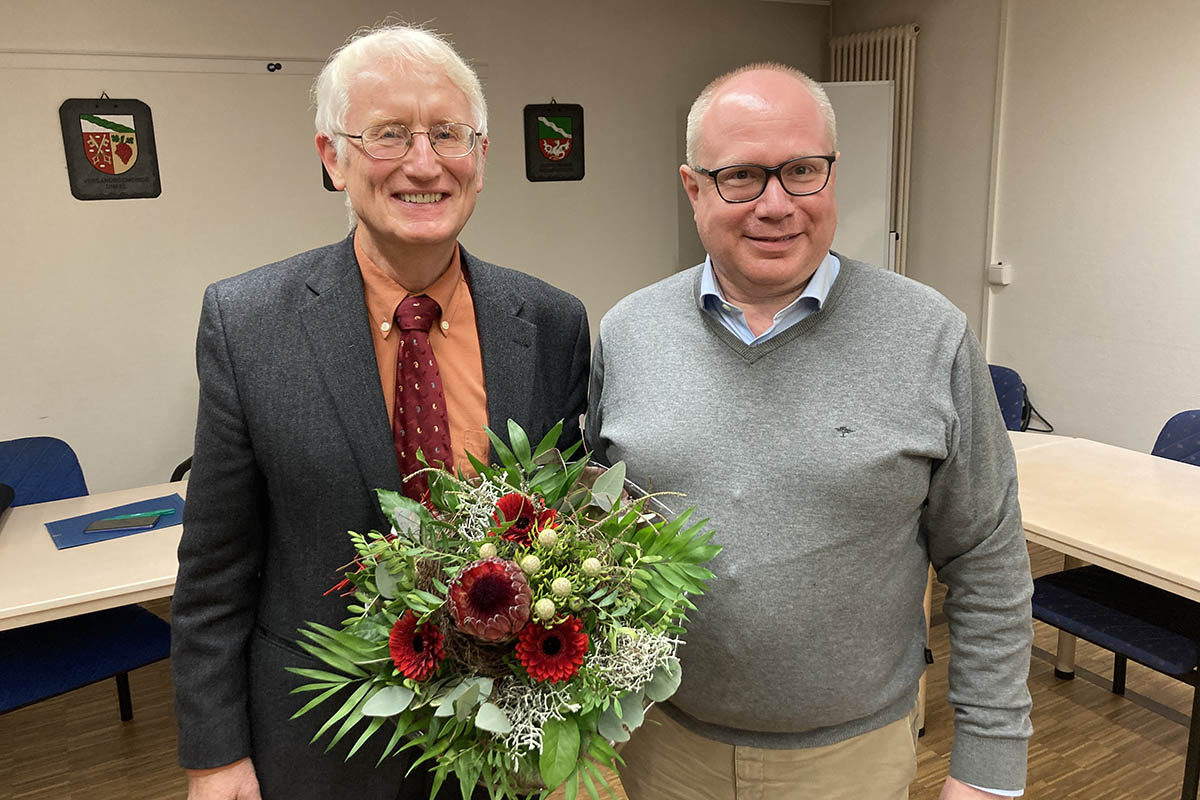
{"points": [[887, 55]]}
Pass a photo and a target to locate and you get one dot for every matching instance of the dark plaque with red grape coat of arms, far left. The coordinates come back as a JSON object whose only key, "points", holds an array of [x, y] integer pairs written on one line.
{"points": [[110, 148]]}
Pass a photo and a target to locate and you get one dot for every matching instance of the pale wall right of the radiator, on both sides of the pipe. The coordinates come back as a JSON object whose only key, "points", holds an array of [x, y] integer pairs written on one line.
{"points": [[1095, 200]]}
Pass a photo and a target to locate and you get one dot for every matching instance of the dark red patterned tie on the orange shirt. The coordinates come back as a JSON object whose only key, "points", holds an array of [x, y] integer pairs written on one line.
{"points": [[419, 419]]}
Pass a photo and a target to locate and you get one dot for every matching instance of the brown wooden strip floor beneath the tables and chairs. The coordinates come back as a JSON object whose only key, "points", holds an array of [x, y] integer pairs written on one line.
{"points": [[1088, 743]]}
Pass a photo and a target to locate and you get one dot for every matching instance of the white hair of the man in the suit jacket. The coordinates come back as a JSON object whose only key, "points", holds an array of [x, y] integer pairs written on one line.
{"points": [[413, 49]]}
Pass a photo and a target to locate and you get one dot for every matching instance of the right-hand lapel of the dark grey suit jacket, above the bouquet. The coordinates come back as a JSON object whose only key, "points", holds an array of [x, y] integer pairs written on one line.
{"points": [[506, 342]]}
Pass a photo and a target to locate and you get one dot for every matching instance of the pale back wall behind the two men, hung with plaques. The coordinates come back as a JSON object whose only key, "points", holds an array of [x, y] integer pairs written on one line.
{"points": [[121, 387]]}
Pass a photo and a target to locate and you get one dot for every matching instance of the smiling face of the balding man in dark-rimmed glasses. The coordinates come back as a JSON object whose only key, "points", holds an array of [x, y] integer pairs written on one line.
{"points": [[765, 250]]}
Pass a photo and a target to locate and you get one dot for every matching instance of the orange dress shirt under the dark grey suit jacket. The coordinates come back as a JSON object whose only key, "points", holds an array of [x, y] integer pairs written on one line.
{"points": [[455, 342]]}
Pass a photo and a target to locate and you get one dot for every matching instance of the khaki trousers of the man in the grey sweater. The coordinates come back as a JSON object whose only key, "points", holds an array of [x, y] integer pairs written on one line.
{"points": [[664, 761]]}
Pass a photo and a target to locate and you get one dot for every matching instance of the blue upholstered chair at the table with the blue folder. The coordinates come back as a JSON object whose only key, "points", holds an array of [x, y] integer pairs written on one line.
{"points": [[41, 661]]}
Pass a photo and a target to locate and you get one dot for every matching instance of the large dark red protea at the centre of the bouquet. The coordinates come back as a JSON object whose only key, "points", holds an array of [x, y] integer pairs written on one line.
{"points": [[490, 600]]}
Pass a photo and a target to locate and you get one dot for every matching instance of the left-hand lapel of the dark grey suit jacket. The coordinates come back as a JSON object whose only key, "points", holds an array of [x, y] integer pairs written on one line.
{"points": [[334, 321]]}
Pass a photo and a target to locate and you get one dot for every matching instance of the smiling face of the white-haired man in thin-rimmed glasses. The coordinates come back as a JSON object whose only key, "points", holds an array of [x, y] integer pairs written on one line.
{"points": [[418, 203]]}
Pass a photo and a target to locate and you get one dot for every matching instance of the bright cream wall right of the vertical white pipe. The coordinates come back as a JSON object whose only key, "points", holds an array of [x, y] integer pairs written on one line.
{"points": [[1099, 212]]}
